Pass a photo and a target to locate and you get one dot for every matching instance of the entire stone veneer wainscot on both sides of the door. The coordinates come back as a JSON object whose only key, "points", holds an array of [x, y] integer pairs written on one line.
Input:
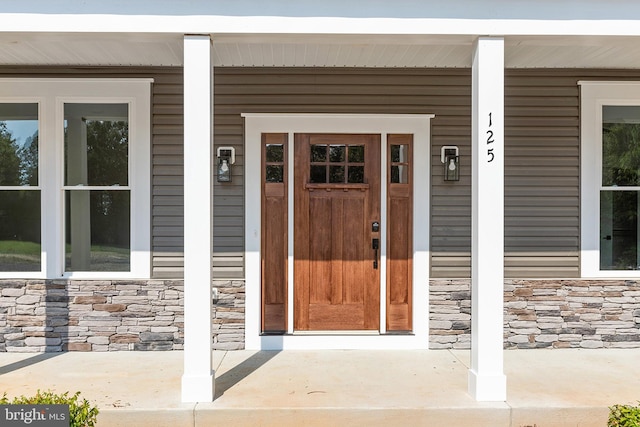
{"points": [[73, 315]]}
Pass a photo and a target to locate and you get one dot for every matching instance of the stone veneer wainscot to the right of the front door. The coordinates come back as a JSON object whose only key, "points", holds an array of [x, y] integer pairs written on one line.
{"points": [[544, 314]]}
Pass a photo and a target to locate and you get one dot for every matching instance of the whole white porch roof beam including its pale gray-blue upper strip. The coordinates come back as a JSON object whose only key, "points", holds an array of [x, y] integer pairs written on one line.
{"points": [[471, 17]]}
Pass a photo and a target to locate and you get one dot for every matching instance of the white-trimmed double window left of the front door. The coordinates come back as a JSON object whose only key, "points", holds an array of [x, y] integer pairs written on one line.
{"points": [[75, 178]]}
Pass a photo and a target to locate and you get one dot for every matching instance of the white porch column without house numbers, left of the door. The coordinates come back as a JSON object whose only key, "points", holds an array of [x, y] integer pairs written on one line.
{"points": [[198, 377]]}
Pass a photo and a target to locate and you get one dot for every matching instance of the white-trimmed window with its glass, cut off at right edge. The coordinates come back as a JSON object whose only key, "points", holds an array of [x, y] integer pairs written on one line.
{"points": [[610, 228]]}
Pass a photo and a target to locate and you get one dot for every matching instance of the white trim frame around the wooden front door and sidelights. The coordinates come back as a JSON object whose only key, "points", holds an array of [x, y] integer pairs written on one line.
{"points": [[383, 124]]}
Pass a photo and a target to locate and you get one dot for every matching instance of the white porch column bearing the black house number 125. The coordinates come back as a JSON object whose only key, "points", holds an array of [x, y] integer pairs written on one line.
{"points": [[487, 381]]}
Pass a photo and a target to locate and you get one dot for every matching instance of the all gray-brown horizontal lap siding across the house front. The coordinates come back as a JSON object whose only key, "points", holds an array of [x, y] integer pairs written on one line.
{"points": [[541, 154]]}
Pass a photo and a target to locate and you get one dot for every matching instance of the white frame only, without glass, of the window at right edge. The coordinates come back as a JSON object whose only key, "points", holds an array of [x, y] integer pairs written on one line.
{"points": [[595, 95]]}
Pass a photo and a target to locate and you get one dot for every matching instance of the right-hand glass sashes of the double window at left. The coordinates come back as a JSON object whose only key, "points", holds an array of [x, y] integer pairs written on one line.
{"points": [[97, 220]]}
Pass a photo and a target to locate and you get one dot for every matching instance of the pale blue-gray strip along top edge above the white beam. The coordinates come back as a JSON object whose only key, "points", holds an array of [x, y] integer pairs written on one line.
{"points": [[460, 9]]}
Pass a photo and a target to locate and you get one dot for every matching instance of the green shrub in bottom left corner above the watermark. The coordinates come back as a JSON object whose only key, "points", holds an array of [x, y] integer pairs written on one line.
{"points": [[81, 413]]}
